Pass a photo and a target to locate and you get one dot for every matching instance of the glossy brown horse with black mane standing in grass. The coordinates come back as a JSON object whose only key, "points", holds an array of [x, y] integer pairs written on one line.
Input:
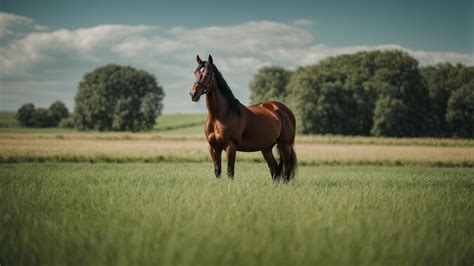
{"points": [[232, 127]]}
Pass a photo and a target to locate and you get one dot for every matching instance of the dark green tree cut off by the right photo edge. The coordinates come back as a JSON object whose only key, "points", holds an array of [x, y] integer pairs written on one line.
{"points": [[460, 111]]}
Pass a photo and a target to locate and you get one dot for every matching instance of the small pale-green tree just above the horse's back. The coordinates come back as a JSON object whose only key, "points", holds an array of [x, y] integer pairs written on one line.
{"points": [[269, 84]]}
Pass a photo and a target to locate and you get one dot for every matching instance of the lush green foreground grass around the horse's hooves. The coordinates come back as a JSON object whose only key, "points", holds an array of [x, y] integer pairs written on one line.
{"points": [[178, 214]]}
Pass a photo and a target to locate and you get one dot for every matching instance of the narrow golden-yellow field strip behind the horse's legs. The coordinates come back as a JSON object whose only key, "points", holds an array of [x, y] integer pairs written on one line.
{"points": [[154, 147]]}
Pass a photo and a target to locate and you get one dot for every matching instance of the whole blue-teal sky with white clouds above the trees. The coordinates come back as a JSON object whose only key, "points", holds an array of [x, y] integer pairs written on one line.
{"points": [[47, 46]]}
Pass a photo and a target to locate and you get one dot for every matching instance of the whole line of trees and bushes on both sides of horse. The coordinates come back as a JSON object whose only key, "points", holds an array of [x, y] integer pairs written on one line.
{"points": [[379, 93]]}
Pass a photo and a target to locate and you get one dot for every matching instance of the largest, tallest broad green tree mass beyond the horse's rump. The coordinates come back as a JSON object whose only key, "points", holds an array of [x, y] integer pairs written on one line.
{"points": [[339, 95]]}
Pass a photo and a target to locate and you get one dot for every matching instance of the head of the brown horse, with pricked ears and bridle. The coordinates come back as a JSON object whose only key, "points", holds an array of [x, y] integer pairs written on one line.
{"points": [[204, 76]]}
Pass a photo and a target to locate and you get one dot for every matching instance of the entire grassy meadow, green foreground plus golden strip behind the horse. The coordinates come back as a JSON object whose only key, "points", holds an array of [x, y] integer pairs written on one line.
{"points": [[90, 198]]}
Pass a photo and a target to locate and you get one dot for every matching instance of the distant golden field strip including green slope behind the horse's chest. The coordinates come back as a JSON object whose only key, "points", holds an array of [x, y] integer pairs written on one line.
{"points": [[181, 138]]}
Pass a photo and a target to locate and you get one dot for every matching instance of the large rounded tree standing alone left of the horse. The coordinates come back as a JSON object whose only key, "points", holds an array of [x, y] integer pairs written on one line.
{"points": [[115, 97]]}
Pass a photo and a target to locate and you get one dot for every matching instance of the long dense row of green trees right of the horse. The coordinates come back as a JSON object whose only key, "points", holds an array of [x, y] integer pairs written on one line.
{"points": [[379, 93]]}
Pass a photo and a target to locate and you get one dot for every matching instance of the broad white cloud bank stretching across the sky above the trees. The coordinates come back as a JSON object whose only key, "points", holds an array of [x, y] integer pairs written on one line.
{"points": [[239, 50]]}
